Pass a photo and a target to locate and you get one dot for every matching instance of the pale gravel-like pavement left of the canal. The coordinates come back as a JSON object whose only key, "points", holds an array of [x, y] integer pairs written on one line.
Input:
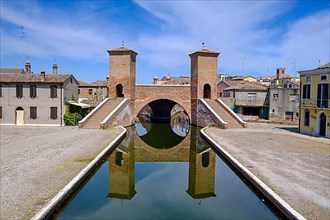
{"points": [[37, 162]]}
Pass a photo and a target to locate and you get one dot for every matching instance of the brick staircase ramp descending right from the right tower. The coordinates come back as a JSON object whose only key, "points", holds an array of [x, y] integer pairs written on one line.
{"points": [[225, 114]]}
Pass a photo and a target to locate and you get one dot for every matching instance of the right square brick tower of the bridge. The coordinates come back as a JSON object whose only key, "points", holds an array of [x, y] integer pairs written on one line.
{"points": [[204, 68]]}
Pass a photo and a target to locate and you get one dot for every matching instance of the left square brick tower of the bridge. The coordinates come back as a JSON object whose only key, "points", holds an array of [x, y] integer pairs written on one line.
{"points": [[122, 73]]}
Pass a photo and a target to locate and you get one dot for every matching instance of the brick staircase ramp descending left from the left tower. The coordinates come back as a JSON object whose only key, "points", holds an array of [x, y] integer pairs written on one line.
{"points": [[94, 119]]}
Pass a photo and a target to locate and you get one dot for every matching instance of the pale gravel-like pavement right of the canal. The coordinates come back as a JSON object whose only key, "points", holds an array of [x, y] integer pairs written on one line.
{"points": [[295, 166]]}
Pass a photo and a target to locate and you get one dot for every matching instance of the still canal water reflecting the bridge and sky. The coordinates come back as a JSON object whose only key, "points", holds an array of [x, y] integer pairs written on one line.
{"points": [[165, 171]]}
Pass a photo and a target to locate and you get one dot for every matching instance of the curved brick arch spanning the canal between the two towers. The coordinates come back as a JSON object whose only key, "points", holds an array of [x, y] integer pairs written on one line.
{"points": [[139, 104]]}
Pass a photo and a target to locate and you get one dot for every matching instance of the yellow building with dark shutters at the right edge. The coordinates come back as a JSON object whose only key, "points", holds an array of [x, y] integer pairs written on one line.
{"points": [[314, 113]]}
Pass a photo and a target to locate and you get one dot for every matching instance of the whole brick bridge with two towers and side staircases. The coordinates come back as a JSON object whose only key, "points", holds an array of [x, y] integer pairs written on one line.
{"points": [[126, 99]]}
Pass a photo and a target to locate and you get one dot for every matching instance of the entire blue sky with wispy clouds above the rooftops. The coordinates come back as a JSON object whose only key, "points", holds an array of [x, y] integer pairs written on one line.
{"points": [[253, 37]]}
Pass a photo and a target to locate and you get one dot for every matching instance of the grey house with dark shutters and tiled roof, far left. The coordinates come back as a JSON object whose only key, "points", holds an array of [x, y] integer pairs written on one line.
{"points": [[35, 99]]}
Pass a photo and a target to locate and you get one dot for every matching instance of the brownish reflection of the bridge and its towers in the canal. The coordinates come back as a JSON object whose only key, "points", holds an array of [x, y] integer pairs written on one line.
{"points": [[122, 164]]}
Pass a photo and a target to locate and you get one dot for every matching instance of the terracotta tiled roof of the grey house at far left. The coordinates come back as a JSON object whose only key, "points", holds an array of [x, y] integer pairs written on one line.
{"points": [[35, 78]]}
